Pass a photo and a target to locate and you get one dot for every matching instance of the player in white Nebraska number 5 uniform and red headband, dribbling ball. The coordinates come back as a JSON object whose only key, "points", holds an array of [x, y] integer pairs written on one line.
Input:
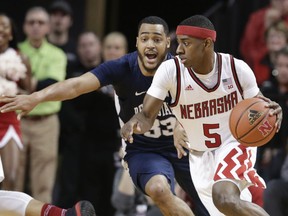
{"points": [[204, 87]]}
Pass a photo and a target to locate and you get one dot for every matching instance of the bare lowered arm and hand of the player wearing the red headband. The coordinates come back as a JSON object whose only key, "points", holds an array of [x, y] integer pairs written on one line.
{"points": [[143, 121]]}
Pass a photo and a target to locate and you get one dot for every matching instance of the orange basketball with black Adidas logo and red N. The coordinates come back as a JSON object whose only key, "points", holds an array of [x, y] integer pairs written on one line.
{"points": [[250, 122]]}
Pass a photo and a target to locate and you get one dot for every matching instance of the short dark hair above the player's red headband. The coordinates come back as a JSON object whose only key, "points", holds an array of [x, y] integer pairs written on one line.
{"points": [[198, 21]]}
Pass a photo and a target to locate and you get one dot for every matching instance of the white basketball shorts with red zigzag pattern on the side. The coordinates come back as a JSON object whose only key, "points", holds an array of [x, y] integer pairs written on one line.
{"points": [[230, 162]]}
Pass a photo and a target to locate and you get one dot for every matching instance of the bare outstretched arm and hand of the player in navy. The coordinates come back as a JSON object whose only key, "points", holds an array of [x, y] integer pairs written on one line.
{"points": [[59, 91]]}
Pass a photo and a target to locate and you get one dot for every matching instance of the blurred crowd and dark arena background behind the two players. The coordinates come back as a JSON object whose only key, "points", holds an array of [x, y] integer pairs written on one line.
{"points": [[84, 157]]}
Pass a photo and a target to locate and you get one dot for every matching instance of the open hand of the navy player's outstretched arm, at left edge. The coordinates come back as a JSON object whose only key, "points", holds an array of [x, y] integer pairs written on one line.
{"points": [[23, 103]]}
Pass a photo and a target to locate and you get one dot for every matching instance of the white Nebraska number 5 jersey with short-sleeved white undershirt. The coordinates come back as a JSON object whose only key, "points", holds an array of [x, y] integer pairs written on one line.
{"points": [[202, 103]]}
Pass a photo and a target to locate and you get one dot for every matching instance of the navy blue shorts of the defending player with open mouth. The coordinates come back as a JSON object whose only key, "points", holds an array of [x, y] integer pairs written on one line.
{"points": [[144, 165]]}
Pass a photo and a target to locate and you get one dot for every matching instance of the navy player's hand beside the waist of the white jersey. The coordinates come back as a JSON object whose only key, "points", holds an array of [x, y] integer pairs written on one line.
{"points": [[181, 141]]}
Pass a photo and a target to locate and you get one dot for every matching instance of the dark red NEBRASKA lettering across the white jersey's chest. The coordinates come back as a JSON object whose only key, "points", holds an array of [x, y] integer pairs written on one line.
{"points": [[209, 107]]}
